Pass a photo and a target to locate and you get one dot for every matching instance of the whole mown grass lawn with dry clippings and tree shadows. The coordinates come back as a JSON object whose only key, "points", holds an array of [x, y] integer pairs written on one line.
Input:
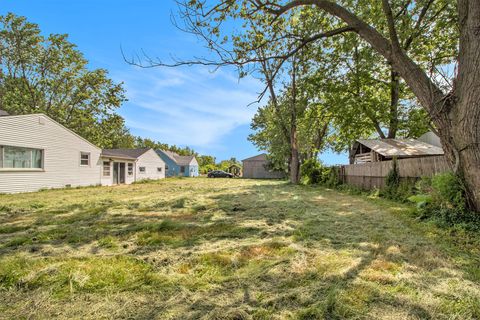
{"points": [[228, 249]]}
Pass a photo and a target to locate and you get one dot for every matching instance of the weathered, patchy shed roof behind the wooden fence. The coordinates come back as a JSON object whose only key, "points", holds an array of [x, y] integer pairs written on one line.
{"points": [[401, 147]]}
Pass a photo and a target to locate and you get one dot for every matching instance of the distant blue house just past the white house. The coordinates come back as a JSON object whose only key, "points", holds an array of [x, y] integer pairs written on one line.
{"points": [[178, 166]]}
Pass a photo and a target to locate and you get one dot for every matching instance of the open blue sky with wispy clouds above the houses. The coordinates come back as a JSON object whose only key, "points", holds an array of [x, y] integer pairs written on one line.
{"points": [[184, 106]]}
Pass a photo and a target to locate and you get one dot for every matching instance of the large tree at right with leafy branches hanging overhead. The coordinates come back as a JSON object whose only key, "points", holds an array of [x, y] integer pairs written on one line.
{"points": [[419, 41]]}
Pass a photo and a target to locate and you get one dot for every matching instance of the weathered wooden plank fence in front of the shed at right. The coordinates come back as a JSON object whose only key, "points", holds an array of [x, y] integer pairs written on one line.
{"points": [[372, 175]]}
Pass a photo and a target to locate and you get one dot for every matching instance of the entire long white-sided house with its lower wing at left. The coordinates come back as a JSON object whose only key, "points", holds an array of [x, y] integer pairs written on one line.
{"points": [[37, 153]]}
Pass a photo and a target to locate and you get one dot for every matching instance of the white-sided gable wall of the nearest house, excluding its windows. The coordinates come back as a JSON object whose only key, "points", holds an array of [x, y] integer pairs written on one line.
{"points": [[61, 148]]}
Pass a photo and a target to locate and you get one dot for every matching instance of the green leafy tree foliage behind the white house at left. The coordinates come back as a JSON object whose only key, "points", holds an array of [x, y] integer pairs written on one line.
{"points": [[50, 75]]}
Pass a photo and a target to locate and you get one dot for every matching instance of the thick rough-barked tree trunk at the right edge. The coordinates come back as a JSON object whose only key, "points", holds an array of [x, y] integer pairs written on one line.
{"points": [[459, 125]]}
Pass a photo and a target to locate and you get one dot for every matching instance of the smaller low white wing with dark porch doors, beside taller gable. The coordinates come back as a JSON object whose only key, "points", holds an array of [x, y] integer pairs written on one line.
{"points": [[128, 165]]}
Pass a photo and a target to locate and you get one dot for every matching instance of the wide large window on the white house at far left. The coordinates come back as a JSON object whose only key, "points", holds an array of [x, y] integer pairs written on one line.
{"points": [[20, 158]]}
